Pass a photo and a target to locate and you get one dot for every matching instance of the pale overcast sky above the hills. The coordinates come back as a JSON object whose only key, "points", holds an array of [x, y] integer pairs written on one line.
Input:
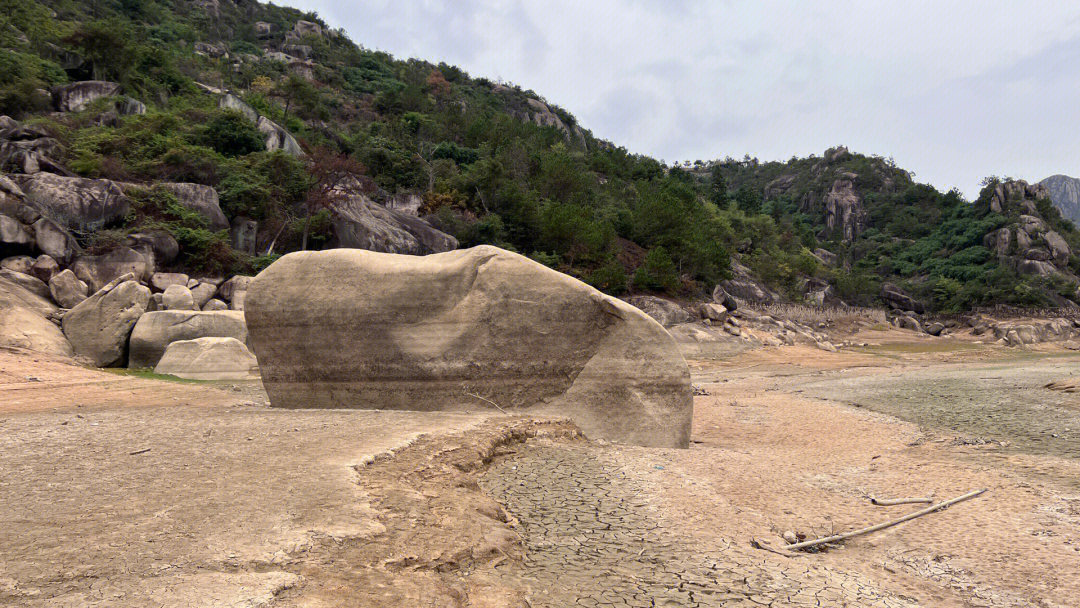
{"points": [[953, 91]]}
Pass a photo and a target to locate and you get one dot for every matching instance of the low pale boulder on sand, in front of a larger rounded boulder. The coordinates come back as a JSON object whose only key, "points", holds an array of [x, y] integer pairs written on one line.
{"points": [[209, 359]]}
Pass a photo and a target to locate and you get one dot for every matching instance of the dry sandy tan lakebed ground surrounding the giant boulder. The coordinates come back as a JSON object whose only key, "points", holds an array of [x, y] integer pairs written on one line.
{"points": [[239, 505]]}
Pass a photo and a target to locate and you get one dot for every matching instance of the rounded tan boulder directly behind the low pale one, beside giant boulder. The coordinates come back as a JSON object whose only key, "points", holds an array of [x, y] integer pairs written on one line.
{"points": [[156, 331]]}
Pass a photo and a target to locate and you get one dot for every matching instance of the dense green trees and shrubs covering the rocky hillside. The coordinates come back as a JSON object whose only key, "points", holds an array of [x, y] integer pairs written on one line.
{"points": [[488, 173]]}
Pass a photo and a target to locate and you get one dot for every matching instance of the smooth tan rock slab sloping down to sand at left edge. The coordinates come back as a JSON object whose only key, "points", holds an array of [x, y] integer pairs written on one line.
{"points": [[24, 323]]}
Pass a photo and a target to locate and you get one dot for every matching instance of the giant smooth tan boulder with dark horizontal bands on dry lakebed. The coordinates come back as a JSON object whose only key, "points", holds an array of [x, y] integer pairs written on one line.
{"points": [[359, 329]]}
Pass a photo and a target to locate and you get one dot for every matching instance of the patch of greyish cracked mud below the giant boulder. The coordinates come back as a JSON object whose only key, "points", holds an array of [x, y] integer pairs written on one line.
{"points": [[592, 539]]}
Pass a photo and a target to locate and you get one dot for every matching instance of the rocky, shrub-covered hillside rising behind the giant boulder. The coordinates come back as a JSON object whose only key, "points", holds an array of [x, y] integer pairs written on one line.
{"points": [[208, 138]]}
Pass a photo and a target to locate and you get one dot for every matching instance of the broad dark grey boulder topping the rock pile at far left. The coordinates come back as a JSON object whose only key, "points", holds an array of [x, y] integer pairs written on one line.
{"points": [[76, 204]]}
